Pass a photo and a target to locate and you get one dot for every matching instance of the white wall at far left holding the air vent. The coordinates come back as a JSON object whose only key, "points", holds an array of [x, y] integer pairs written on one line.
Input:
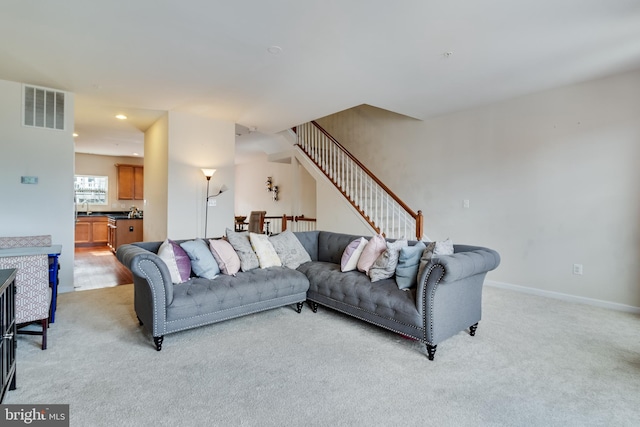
{"points": [[47, 207]]}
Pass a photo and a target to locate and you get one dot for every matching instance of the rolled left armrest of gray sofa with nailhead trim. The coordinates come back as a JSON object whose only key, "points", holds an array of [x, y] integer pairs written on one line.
{"points": [[147, 266]]}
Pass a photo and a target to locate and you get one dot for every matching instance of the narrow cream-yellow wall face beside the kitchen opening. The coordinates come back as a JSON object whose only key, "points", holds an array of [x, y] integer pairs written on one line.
{"points": [[156, 163]]}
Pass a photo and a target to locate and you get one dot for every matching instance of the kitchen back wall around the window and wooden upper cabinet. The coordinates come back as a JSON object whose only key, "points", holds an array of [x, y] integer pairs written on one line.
{"points": [[92, 164]]}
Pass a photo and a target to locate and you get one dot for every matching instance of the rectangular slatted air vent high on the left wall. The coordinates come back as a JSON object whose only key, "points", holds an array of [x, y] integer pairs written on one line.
{"points": [[43, 108]]}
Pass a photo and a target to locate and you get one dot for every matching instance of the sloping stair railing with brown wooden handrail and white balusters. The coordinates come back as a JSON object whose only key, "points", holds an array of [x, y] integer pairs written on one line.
{"points": [[379, 206]]}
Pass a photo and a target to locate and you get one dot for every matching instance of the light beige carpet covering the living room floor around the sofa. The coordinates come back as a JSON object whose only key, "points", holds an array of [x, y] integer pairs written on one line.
{"points": [[533, 362]]}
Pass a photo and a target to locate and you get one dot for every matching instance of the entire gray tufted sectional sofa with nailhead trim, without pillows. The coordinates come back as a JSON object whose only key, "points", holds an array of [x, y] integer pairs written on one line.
{"points": [[446, 300]]}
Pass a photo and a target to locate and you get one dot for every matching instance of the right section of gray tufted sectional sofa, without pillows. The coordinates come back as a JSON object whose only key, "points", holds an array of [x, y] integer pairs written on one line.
{"points": [[446, 300]]}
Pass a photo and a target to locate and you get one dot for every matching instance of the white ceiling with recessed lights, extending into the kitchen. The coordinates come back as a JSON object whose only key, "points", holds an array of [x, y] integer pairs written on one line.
{"points": [[144, 57]]}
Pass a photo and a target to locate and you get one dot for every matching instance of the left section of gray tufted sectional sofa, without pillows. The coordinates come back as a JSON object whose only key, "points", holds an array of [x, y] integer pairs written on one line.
{"points": [[164, 308]]}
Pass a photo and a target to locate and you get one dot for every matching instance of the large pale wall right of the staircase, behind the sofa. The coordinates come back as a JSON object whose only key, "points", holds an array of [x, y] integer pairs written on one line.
{"points": [[551, 179]]}
